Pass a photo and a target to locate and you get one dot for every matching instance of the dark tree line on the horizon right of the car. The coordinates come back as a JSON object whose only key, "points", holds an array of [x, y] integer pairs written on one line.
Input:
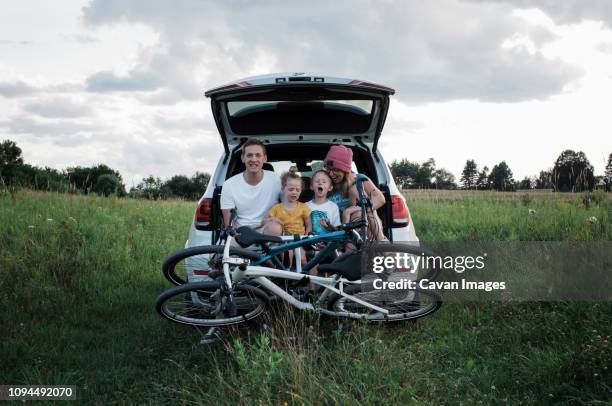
{"points": [[571, 172]]}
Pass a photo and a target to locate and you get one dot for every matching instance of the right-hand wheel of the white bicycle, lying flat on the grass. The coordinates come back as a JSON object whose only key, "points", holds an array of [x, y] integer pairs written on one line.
{"points": [[402, 305]]}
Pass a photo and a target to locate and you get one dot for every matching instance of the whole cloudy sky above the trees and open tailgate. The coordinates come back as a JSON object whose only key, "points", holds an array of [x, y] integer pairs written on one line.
{"points": [[121, 82]]}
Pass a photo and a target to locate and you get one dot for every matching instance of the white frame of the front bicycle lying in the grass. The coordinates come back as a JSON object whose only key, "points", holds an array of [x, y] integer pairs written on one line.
{"points": [[260, 274]]}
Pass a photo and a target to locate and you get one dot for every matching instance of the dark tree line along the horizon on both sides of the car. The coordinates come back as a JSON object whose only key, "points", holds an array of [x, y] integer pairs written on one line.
{"points": [[571, 172]]}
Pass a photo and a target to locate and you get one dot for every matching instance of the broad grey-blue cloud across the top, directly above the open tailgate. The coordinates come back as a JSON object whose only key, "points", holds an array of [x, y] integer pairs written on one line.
{"points": [[430, 55]]}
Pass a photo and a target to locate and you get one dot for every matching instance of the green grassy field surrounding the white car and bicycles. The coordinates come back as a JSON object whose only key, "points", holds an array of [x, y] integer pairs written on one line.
{"points": [[79, 275]]}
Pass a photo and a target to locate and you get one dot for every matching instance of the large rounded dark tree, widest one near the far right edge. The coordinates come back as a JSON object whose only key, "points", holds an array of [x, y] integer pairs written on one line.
{"points": [[573, 172]]}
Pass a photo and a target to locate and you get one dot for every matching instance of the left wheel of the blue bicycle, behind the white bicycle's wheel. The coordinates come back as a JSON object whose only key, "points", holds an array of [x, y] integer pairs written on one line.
{"points": [[182, 266]]}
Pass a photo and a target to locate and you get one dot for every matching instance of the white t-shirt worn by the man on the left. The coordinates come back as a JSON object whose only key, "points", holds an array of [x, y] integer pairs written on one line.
{"points": [[252, 203]]}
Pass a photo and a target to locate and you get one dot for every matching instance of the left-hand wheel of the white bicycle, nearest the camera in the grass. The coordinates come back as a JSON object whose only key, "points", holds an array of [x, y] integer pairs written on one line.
{"points": [[203, 304]]}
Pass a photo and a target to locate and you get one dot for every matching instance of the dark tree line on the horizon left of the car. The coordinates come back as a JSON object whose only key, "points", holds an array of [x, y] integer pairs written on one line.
{"points": [[99, 179]]}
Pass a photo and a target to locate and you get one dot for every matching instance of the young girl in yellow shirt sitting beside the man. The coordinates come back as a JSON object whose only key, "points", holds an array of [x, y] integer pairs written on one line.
{"points": [[292, 215]]}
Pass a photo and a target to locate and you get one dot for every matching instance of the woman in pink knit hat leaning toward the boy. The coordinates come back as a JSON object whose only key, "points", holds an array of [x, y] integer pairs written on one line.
{"points": [[338, 164]]}
